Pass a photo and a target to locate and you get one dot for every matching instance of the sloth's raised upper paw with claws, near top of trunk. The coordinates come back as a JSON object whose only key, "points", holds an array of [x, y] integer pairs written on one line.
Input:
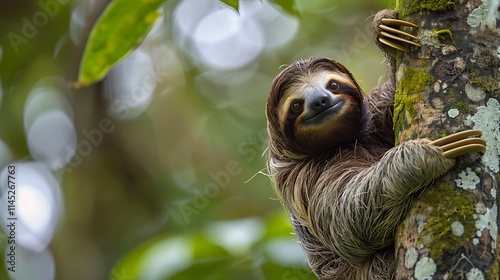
{"points": [[388, 35]]}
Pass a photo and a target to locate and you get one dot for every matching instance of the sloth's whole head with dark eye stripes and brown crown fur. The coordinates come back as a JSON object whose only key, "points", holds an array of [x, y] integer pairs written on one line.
{"points": [[314, 105]]}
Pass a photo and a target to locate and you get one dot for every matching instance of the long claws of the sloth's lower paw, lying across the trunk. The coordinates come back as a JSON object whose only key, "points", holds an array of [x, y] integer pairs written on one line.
{"points": [[458, 144]]}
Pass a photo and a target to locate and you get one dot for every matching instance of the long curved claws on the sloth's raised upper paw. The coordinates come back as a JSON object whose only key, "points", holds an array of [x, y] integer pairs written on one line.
{"points": [[391, 36]]}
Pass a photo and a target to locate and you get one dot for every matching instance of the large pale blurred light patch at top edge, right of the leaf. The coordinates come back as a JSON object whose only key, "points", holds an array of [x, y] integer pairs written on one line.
{"points": [[218, 38]]}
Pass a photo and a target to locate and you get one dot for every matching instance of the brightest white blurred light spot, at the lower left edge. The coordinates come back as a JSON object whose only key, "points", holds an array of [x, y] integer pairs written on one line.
{"points": [[38, 204]]}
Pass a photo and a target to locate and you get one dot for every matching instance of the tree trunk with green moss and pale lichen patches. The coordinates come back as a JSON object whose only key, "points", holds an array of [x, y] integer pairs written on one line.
{"points": [[451, 84]]}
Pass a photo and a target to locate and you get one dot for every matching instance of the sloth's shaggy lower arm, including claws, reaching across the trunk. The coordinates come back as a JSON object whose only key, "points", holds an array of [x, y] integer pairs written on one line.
{"points": [[358, 212]]}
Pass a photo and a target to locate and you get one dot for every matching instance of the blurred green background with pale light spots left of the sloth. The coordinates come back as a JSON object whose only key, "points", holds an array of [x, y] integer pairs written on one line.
{"points": [[158, 172]]}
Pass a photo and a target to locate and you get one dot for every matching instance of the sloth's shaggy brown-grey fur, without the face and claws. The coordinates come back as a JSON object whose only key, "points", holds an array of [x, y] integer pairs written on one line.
{"points": [[346, 199]]}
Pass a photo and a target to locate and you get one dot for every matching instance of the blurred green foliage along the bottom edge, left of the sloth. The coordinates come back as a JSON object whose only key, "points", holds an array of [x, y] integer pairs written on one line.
{"points": [[183, 257]]}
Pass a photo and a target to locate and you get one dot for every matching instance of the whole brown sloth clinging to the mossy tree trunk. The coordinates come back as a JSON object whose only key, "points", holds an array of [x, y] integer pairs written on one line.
{"points": [[334, 165]]}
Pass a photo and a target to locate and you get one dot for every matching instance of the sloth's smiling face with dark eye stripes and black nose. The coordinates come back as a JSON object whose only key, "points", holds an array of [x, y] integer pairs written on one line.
{"points": [[320, 109]]}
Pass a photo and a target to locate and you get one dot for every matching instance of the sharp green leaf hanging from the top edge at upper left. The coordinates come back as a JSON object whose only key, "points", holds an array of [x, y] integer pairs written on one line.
{"points": [[121, 27]]}
